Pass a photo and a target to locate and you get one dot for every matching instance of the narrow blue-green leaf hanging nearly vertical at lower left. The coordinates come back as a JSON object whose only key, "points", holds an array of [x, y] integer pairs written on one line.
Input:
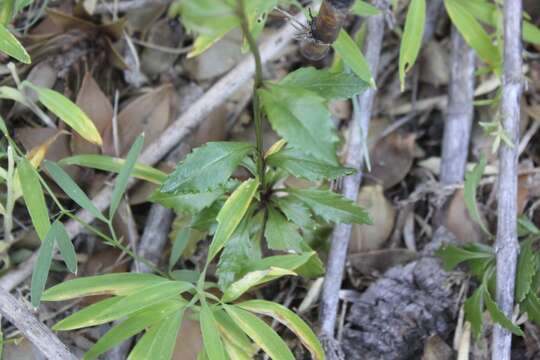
{"points": [[42, 266]]}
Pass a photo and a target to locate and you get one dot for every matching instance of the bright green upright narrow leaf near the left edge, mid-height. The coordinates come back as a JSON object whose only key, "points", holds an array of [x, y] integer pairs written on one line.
{"points": [[33, 197]]}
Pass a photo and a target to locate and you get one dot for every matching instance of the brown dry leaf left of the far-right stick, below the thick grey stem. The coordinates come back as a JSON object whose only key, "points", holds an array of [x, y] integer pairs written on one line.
{"points": [[457, 220]]}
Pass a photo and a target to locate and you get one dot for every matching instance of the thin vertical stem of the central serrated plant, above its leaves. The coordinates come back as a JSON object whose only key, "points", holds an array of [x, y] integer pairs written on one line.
{"points": [[257, 114]]}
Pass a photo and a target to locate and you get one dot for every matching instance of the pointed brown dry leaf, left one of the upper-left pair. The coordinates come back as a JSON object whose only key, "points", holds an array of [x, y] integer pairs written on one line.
{"points": [[97, 106]]}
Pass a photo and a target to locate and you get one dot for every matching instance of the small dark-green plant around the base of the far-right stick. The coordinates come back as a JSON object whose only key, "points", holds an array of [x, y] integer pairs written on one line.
{"points": [[480, 263]]}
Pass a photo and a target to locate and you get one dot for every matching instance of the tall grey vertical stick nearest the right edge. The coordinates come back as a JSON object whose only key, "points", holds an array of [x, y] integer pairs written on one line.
{"points": [[507, 246]]}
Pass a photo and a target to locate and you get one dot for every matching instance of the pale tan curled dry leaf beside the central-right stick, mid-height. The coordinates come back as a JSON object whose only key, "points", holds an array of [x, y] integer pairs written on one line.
{"points": [[373, 237]]}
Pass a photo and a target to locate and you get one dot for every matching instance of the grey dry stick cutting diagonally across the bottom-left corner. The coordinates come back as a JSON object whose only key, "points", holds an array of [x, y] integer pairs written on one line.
{"points": [[34, 330]]}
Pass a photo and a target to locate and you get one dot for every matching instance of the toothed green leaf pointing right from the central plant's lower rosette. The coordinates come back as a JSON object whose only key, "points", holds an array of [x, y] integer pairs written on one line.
{"points": [[331, 206]]}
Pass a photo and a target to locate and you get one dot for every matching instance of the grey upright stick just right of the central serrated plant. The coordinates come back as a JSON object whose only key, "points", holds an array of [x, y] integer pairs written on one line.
{"points": [[354, 159]]}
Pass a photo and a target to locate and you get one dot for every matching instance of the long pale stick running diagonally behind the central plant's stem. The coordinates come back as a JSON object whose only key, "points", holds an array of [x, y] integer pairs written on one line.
{"points": [[181, 128]]}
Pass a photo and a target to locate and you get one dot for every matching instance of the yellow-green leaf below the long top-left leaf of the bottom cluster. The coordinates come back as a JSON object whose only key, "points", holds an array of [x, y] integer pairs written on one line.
{"points": [[89, 316]]}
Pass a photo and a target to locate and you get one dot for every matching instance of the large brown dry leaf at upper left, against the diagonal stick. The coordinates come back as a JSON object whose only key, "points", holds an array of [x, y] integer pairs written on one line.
{"points": [[148, 114]]}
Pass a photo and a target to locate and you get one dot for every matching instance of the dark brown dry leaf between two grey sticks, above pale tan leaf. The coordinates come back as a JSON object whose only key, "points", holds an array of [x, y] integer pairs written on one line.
{"points": [[392, 158]]}
